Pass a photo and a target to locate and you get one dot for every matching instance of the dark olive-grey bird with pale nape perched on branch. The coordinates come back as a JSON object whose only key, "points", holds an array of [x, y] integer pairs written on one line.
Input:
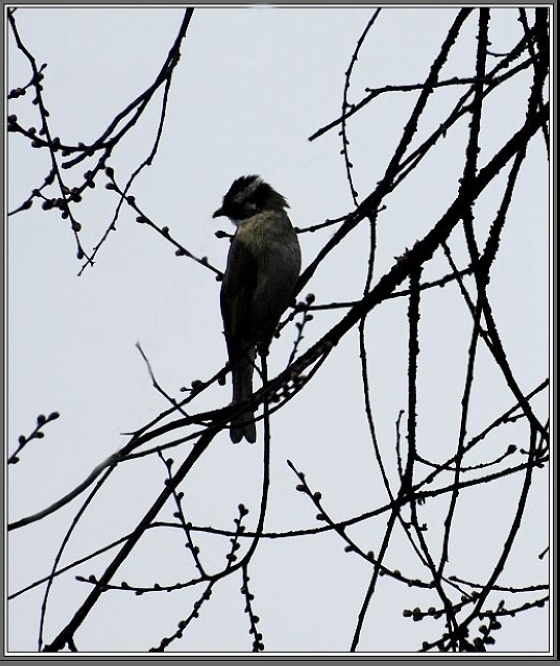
{"points": [[262, 269]]}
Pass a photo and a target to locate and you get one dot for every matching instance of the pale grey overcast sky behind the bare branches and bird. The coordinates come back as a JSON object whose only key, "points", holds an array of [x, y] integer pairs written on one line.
{"points": [[252, 85]]}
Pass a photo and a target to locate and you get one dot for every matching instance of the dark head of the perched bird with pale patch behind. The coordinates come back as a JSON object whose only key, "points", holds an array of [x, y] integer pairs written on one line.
{"points": [[247, 196]]}
